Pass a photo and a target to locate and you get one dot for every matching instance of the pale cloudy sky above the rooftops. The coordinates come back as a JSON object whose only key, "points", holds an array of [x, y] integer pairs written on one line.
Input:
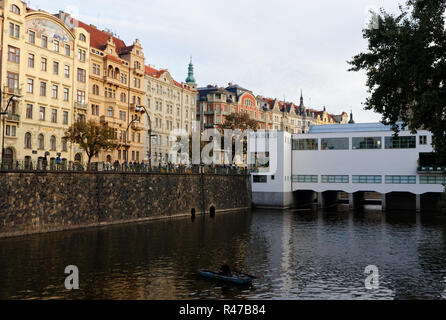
{"points": [[273, 48]]}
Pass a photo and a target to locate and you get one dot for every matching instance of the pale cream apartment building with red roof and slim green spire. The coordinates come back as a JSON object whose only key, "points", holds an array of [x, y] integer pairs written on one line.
{"points": [[171, 105]]}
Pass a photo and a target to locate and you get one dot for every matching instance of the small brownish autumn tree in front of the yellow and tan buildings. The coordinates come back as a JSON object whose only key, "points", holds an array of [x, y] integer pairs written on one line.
{"points": [[92, 137]]}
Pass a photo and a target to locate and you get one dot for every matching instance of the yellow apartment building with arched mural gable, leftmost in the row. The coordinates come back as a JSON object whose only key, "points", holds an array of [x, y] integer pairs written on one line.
{"points": [[44, 72]]}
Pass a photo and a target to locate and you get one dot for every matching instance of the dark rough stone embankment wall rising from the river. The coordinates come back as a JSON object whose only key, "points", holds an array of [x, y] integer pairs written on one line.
{"points": [[38, 202]]}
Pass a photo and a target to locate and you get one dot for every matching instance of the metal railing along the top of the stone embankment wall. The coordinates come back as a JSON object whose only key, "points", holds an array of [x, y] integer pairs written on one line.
{"points": [[70, 166]]}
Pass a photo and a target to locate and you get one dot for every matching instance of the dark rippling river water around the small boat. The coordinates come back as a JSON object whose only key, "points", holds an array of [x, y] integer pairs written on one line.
{"points": [[295, 255]]}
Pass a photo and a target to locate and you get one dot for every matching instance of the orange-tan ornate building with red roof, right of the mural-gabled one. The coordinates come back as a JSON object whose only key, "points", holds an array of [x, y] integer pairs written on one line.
{"points": [[116, 88]]}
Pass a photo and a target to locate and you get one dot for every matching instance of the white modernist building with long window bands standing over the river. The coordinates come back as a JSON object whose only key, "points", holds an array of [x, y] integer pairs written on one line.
{"points": [[351, 158]]}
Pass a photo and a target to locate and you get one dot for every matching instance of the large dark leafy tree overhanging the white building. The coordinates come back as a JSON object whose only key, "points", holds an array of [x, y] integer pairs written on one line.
{"points": [[406, 68]]}
